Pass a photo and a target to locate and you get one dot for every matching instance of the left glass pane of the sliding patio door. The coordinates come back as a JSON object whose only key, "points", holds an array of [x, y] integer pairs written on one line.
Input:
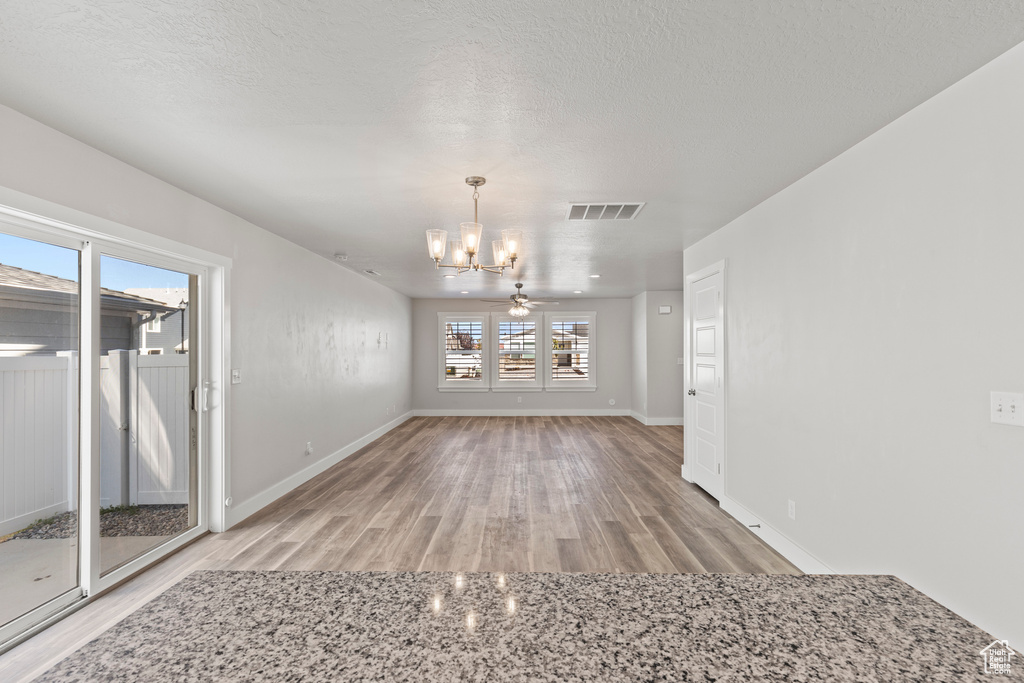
{"points": [[39, 373]]}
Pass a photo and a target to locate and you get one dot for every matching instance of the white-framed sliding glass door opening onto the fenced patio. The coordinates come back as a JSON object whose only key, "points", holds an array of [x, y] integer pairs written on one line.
{"points": [[102, 458]]}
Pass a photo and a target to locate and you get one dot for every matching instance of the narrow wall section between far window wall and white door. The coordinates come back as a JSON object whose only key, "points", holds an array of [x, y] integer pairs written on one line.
{"points": [[665, 348]]}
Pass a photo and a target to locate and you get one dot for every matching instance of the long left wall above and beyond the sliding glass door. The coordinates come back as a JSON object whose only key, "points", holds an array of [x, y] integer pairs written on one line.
{"points": [[304, 329]]}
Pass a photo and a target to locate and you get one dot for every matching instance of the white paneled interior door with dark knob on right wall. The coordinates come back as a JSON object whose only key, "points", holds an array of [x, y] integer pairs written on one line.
{"points": [[707, 392]]}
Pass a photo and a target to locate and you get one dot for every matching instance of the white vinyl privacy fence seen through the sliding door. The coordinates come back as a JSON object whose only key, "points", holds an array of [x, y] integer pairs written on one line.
{"points": [[144, 434]]}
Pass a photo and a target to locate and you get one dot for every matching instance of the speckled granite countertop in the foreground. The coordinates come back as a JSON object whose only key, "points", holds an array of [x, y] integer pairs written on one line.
{"points": [[317, 626]]}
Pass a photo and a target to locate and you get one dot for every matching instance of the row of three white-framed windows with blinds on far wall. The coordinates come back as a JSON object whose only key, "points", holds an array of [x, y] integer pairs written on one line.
{"points": [[497, 353]]}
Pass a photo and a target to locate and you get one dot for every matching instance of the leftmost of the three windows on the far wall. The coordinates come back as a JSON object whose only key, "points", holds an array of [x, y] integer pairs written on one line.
{"points": [[463, 343]]}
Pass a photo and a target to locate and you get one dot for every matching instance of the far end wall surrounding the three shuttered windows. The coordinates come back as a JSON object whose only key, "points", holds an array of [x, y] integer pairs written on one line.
{"points": [[612, 348]]}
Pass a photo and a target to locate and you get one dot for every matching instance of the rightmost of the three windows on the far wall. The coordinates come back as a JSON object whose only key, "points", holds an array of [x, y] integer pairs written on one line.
{"points": [[572, 353]]}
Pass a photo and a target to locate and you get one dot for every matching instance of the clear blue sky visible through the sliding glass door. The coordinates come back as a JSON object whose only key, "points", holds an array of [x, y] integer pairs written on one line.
{"points": [[115, 274]]}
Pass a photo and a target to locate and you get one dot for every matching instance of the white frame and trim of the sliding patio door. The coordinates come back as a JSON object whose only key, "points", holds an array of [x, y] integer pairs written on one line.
{"points": [[95, 237]]}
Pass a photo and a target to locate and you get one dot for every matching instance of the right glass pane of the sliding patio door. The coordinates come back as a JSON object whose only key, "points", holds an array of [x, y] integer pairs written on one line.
{"points": [[146, 461]]}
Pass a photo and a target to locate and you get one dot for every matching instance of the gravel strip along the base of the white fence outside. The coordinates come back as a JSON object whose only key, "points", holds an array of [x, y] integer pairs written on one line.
{"points": [[141, 521]]}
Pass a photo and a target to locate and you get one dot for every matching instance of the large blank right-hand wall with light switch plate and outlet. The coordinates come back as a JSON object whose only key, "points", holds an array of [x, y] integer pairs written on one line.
{"points": [[872, 309]]}
